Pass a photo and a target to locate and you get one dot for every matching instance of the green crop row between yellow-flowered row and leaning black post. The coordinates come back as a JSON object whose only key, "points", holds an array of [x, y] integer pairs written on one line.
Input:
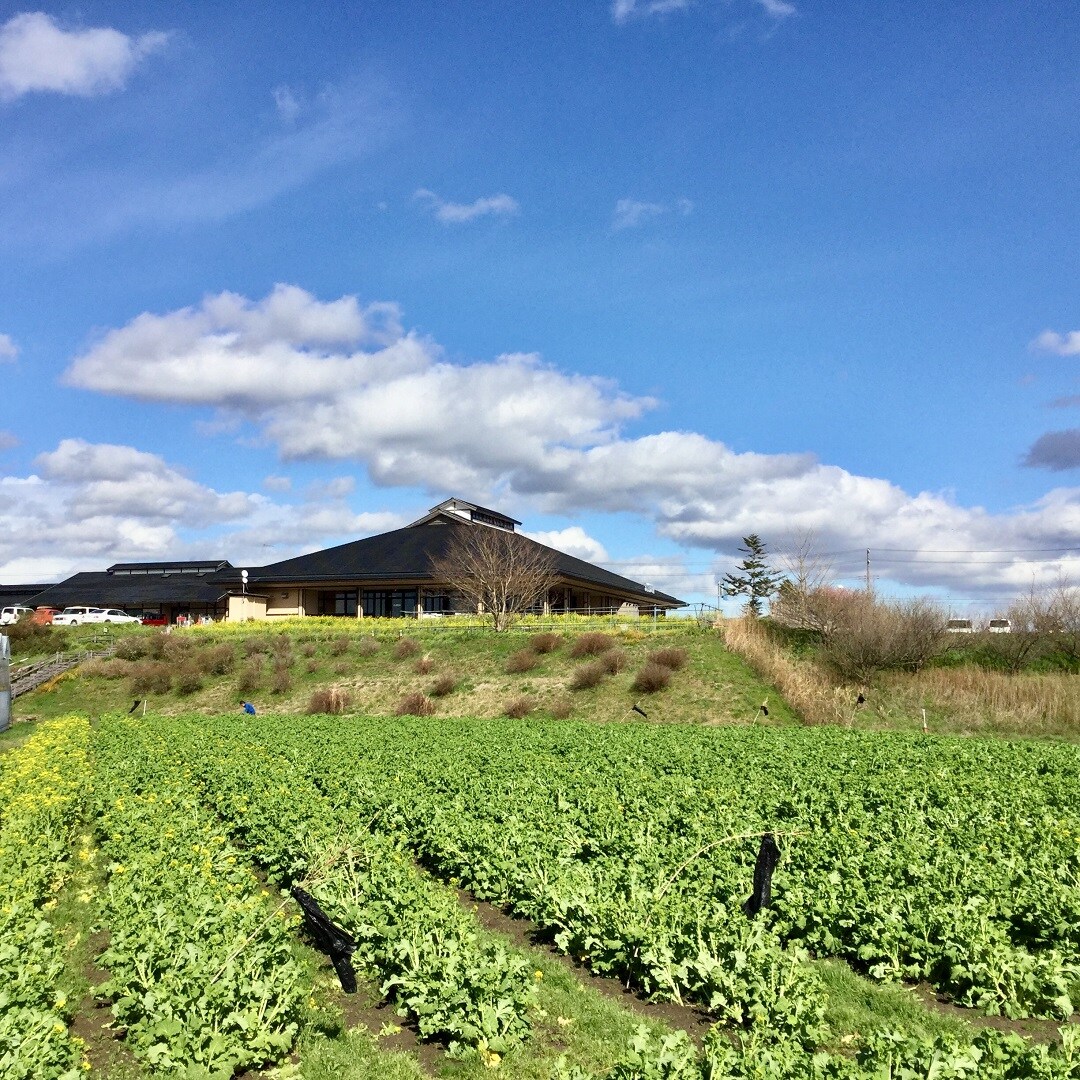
{"points": [[202, 975]]}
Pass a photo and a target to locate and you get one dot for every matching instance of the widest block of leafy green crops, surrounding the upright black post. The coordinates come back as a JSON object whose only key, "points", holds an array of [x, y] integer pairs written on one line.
{"points": [[955, 862]]}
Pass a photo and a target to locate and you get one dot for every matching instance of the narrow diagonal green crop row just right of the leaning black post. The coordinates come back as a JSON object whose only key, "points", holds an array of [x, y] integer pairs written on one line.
{"points": [[427, 950]]}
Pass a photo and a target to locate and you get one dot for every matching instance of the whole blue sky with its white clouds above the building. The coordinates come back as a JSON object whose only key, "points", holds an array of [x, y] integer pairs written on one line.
{"points": [[649, 276]]}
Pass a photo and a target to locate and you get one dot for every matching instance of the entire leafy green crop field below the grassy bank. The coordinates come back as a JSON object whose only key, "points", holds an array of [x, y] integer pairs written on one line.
{"points": [[145, 863]]}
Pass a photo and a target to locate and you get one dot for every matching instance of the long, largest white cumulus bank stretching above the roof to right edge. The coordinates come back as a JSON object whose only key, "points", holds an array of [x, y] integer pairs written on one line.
{"points": [[332, 382]]}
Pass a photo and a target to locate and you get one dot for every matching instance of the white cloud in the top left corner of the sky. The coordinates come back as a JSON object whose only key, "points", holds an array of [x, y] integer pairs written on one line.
{"points": [[38, 55]]}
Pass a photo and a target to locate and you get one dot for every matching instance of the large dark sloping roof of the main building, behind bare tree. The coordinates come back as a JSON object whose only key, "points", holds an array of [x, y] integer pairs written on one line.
{"points": [[407, 555]]}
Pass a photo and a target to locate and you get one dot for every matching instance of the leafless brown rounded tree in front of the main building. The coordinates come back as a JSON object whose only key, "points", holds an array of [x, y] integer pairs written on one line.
{"points": [[502, 574]]}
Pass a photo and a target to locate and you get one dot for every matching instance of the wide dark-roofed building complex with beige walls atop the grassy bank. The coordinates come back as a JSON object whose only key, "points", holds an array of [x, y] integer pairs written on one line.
{"points": [[390, 575]]}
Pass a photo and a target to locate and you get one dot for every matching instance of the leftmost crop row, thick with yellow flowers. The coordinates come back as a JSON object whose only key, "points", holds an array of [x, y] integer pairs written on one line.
{"points": [[44, 789]]}
